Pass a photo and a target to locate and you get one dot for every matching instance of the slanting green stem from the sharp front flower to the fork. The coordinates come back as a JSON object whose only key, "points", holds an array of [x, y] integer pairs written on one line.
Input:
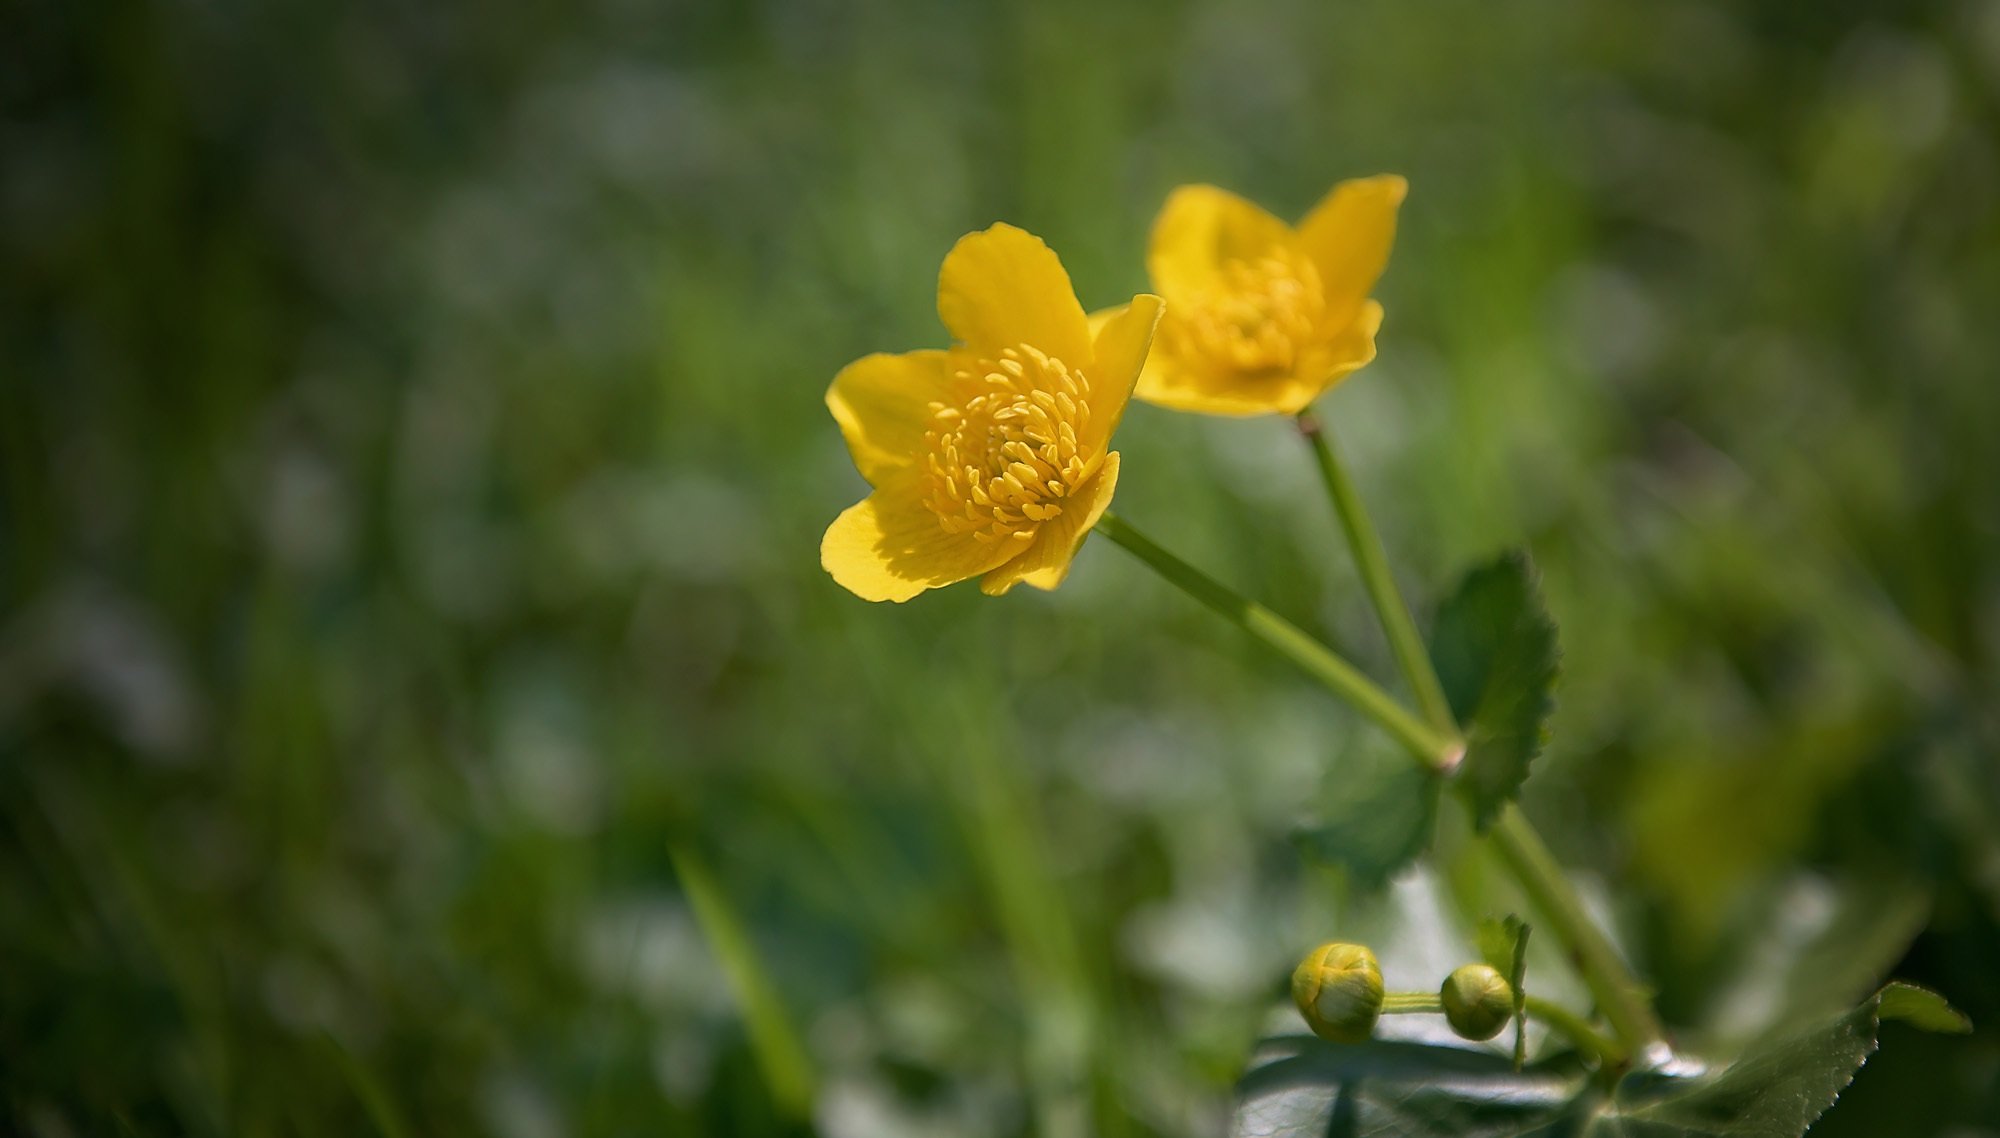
{"points": [[1431, 747]]}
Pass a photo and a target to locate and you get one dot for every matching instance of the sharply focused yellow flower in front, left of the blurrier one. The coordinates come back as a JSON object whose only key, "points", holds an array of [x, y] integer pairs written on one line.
{"points": [[989, 459]]}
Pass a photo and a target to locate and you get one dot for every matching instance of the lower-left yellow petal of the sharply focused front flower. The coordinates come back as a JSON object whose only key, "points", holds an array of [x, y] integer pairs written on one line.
{"points": [[891, 547]]}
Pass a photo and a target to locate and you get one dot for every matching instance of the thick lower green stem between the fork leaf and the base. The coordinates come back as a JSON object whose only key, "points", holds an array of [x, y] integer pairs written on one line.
{"points": [[1619, 995]]}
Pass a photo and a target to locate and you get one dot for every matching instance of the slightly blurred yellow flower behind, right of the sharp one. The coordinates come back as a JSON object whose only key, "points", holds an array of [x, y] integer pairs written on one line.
{"points": [[1263, 317]]}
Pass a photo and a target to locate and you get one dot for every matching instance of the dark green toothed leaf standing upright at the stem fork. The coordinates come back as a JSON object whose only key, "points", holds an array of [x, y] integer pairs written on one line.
{"points": [[1495, 649]]}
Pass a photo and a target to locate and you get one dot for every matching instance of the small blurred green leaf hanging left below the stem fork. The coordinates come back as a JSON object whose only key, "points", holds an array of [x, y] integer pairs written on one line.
{"points": [[1381, 811]]}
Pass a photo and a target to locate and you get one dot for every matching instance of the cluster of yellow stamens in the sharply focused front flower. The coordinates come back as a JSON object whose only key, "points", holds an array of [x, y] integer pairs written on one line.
{"points": [[1005, 453]]}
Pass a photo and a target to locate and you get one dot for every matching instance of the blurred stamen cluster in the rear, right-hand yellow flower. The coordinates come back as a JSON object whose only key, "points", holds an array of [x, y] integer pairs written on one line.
{"points": [[1259, 317]]}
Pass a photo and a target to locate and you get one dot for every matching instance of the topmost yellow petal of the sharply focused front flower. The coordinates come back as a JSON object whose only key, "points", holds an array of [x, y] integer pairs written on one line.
{"points": [[1003, 287]]}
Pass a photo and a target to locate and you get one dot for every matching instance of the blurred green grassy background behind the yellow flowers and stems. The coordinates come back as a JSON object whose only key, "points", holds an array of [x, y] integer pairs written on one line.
{"points": [[415, 469]]}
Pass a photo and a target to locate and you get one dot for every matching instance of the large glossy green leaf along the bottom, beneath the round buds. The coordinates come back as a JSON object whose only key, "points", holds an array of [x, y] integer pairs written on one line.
{"points": [[1301, 1087]]}
